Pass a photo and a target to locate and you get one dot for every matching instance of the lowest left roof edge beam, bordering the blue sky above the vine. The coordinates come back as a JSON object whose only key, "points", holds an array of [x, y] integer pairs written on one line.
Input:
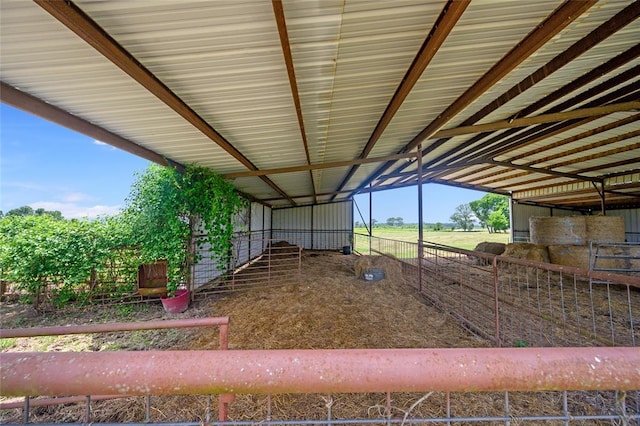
{"points": [[11, 96]]}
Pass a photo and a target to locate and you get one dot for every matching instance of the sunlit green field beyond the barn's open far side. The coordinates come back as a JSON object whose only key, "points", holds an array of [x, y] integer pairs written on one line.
{"points": [[460, 239]]}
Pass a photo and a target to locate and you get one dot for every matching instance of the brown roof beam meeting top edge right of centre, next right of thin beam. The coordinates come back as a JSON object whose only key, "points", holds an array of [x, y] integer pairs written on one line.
{"points": [[445, 23]]}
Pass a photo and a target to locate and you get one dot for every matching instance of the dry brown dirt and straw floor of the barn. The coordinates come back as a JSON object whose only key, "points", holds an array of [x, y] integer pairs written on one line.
{"points": [[329, 308]]}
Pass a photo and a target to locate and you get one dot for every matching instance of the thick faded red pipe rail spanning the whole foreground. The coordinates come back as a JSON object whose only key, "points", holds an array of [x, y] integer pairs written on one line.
{"points": [[319, 371]]}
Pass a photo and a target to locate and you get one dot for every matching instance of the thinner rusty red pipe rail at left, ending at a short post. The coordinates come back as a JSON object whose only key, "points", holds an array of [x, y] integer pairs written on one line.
{"points": [[112, 327]]}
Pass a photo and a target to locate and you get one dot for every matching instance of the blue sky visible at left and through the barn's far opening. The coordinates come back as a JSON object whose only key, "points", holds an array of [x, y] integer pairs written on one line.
{"points": [[44, 165]]}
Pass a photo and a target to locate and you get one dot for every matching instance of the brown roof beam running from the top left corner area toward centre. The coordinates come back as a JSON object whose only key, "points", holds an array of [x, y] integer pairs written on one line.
{"points": [[71, 16]]}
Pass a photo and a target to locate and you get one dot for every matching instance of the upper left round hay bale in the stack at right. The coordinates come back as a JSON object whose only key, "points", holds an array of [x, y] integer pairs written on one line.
{"points": [[558, 230]]}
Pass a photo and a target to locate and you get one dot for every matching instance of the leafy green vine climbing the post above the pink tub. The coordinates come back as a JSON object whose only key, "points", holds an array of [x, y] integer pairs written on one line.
{"points": [[167, 210]]}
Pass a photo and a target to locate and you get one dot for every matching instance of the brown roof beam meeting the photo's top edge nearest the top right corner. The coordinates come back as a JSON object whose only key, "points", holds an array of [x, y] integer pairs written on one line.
{"points": [[550, 27]]}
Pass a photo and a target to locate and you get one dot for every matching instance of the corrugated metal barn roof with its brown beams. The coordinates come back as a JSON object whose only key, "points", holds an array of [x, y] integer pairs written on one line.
{"points": [[209, 83]]}
